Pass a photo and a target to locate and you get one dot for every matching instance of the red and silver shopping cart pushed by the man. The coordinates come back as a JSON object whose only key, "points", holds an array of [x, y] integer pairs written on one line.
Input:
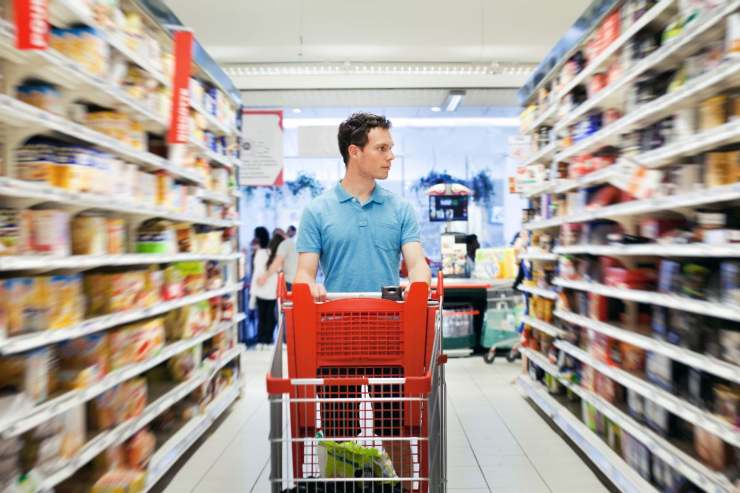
{"points": [[362, 406]]}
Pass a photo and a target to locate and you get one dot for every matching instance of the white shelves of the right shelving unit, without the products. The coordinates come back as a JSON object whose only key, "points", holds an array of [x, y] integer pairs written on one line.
{"points": [[559, 112]]}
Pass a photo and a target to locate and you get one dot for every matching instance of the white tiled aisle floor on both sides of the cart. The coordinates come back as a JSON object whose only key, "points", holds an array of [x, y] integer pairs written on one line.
{"points": [[497, 442]]}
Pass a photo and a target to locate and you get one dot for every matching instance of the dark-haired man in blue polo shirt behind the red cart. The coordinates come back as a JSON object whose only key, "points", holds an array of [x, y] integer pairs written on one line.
{"points": [[357, 230]]}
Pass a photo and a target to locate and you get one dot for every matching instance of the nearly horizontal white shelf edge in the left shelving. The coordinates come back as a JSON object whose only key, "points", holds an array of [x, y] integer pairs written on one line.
{"points": [[84, 262]]}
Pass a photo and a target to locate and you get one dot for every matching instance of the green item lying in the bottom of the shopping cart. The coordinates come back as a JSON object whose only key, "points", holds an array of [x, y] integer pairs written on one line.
{"points": [[344, 459]]}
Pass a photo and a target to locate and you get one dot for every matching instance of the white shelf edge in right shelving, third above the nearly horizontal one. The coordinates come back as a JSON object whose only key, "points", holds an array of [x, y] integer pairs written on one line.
{"points": [[702, 86]]}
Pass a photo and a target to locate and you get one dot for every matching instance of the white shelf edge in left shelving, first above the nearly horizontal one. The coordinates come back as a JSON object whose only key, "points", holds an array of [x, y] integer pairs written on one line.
{"points": [[29, 193]]}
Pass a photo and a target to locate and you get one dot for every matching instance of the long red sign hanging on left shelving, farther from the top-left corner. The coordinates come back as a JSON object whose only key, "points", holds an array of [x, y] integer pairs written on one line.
{"points": [[179, 132]]}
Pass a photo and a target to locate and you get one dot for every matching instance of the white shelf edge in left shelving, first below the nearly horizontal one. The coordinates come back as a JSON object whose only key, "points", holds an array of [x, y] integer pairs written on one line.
{"points": [[27, 342]]}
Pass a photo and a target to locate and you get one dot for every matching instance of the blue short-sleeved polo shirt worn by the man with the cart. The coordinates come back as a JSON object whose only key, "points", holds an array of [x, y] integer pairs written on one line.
{"points": [[359, 244]]}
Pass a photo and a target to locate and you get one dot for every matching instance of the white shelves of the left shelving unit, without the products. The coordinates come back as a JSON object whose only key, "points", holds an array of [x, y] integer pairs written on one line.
{"points": [[209, 210]]}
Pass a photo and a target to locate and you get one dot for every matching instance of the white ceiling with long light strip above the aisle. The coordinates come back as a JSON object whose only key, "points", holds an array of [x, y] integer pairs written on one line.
{"points": [[409, 31]]}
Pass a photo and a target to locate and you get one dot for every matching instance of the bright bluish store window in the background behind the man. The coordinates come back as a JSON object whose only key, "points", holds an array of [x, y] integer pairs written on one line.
{"points": [[478, 156]]}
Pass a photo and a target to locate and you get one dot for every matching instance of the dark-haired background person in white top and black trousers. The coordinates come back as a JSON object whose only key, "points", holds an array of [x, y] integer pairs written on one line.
{"points": [[264, 296]]}
